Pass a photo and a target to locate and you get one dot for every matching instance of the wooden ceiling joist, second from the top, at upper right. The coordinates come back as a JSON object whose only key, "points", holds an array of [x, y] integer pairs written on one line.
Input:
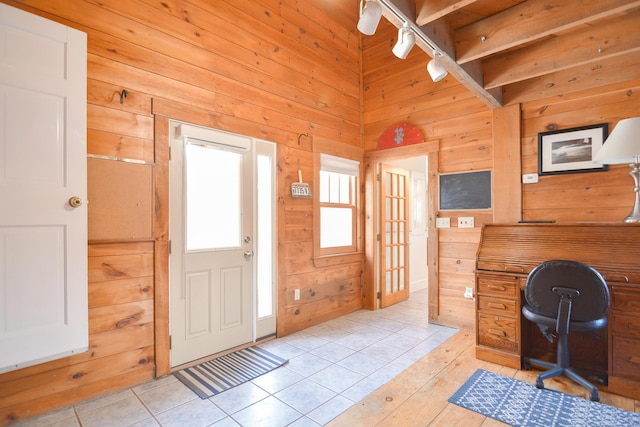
{"points": [[528, 22]]}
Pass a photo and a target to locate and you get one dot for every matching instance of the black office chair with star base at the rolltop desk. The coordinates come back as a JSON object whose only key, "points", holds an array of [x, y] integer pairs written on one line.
{"points": [[568, 296]]}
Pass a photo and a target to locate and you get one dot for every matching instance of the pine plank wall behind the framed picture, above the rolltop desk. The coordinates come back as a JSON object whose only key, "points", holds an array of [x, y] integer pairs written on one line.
{"points": [[580, 197]]}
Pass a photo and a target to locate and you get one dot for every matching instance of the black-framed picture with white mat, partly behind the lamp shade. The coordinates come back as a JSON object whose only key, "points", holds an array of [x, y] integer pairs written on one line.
{"points": [[571, 150]]}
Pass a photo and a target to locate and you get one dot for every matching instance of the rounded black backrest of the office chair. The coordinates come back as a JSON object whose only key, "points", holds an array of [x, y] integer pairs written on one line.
{"points": [[591, 304]]}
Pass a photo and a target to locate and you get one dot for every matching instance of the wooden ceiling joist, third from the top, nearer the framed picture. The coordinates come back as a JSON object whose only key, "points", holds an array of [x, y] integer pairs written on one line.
{"points": [[590, 44]]}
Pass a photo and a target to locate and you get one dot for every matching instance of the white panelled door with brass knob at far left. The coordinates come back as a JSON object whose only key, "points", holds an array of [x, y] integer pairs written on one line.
{"points": [[43, 231]]}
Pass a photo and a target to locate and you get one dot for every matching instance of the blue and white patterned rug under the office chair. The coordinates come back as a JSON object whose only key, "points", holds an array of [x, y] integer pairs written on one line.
{"points": [[521, 404]]}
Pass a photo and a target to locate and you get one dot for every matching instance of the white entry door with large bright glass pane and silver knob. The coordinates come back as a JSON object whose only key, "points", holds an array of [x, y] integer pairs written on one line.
{"points": [[211, 268]]}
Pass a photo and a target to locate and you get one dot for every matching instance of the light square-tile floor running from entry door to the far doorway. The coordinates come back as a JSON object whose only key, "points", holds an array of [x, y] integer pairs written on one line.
{"points": [[331, 367]]}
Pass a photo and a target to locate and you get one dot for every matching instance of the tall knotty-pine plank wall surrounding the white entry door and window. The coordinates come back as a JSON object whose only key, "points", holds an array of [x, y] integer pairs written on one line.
{"points": [[269, 69]]}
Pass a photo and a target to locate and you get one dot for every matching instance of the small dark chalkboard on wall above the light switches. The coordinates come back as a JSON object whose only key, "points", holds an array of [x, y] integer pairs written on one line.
{"points": [[468, 190]]}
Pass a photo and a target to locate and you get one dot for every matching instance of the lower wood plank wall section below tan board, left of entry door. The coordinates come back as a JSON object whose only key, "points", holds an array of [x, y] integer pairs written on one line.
{"points": [[121, 344]]}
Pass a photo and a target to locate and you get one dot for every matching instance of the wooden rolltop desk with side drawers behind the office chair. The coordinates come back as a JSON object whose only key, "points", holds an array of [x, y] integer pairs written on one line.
{"points": [[508, 252]]}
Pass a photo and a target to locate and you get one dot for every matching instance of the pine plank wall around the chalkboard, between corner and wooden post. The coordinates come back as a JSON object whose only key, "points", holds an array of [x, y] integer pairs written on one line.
{"points": [[401, 91]]}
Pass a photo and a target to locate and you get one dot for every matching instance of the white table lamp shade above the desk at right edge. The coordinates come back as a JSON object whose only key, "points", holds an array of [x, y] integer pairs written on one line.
{"points": [[622, 145]]}
